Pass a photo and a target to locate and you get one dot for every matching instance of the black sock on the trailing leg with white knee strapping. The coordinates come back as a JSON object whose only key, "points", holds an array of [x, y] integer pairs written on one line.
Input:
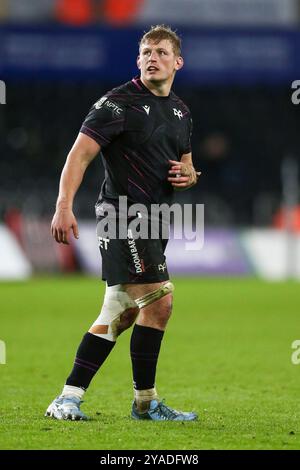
{"points": [[92, 352]]}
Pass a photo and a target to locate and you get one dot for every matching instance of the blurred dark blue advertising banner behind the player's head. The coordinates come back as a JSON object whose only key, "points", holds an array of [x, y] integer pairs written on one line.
{"points": [[211, 56]]}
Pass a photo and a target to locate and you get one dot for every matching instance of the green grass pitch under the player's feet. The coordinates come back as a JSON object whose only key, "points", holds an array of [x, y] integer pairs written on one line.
{"points": [[226, 353]]}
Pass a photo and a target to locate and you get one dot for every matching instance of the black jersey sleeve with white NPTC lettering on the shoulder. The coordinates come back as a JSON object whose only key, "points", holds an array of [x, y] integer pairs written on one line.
{"points": [[105, 121]]}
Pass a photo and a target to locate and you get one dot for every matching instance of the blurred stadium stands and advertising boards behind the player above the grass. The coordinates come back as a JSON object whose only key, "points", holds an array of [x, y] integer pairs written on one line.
{"points": [[241, 57]]}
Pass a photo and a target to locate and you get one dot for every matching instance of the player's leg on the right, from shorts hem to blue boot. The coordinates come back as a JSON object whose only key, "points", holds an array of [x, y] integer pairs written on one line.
{"points": [[145, 345]]}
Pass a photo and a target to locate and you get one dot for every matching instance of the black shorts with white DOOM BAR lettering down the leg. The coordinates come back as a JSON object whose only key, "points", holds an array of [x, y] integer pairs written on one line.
{"points": [[132, 260]]}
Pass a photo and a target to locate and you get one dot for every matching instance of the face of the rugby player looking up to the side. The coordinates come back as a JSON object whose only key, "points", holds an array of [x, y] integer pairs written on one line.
{"points": [[157, 61]]}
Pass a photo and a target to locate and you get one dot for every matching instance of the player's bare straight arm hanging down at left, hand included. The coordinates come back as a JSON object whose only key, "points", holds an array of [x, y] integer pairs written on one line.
{"points": [[82, 153]]}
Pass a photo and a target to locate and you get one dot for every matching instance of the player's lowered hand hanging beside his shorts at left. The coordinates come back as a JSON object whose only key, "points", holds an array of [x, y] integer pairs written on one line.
{"points": [[63, 221]]}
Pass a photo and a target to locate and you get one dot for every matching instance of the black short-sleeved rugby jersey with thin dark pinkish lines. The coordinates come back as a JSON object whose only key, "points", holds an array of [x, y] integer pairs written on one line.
{"points": [[138, 133]]}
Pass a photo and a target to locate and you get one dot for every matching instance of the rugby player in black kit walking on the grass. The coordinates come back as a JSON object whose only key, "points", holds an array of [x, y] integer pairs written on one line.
{"points": [[143, 131]]}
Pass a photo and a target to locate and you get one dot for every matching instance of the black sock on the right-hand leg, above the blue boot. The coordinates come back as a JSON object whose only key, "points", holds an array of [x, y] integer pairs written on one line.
{"points": [[144, 349]]}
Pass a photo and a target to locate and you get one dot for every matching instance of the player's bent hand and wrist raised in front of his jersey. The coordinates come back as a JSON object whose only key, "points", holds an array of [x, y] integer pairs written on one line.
{"points": [[182, 175]]}
